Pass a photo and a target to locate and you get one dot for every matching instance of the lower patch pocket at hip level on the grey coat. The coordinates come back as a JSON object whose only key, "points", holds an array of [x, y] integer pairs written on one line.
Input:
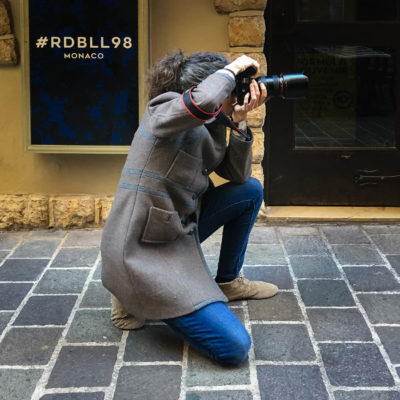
{"points": [[162, 226]]}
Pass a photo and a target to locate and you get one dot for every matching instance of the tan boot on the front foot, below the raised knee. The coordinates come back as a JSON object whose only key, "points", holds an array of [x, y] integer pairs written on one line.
{"points": [[242, 288]]}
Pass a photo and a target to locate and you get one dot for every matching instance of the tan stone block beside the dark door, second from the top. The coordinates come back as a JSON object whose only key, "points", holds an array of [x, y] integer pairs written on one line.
{"points": [[246, 31]]}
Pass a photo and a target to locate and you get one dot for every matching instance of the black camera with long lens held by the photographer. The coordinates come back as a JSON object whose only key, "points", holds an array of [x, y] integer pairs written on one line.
{"points": [[285, 86]]}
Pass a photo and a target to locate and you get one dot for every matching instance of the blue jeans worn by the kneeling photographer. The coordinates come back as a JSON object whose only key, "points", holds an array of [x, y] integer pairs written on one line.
{"points": [[214, 330]]}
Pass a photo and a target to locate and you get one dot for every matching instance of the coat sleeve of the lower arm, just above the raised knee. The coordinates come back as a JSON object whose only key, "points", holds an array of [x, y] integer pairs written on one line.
{"points": [[236, 165]]}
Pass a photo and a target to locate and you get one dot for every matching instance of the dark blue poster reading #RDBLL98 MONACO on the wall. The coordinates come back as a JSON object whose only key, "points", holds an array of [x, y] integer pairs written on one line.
{"points": [[83, 72]]}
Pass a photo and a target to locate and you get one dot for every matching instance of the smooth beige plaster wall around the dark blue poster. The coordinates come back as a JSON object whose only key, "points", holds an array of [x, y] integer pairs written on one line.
{"points": [[173, 25]]}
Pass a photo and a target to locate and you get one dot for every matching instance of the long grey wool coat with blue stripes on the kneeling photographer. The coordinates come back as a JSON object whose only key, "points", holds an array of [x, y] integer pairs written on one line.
{"points": [[151, 255]]}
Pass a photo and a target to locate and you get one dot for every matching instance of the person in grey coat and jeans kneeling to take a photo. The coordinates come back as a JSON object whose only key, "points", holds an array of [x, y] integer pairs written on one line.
{"points": [[166, 205]]}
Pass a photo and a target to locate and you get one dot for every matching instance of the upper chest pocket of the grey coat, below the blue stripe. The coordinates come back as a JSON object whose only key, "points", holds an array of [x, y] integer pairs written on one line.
{"points": [[184, 169]]}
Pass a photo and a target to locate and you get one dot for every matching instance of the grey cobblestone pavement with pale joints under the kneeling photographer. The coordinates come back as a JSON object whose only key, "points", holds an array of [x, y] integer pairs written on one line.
{"points": [[332, 332]]}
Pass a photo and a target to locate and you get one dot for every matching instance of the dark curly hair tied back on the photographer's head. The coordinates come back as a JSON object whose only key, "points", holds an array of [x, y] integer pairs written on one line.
{"points": [[177, 73]]}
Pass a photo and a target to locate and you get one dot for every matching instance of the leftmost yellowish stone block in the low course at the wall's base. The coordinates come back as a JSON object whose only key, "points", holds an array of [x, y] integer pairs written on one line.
{"points": [[12, 208]]}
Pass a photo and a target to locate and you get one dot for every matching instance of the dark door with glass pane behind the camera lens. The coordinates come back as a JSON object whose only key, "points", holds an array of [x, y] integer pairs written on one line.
{"points": [[340, 146]]}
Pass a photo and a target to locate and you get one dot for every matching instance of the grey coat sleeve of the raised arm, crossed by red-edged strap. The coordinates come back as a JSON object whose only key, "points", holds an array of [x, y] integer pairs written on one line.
{"points": [[168, 114]]}
